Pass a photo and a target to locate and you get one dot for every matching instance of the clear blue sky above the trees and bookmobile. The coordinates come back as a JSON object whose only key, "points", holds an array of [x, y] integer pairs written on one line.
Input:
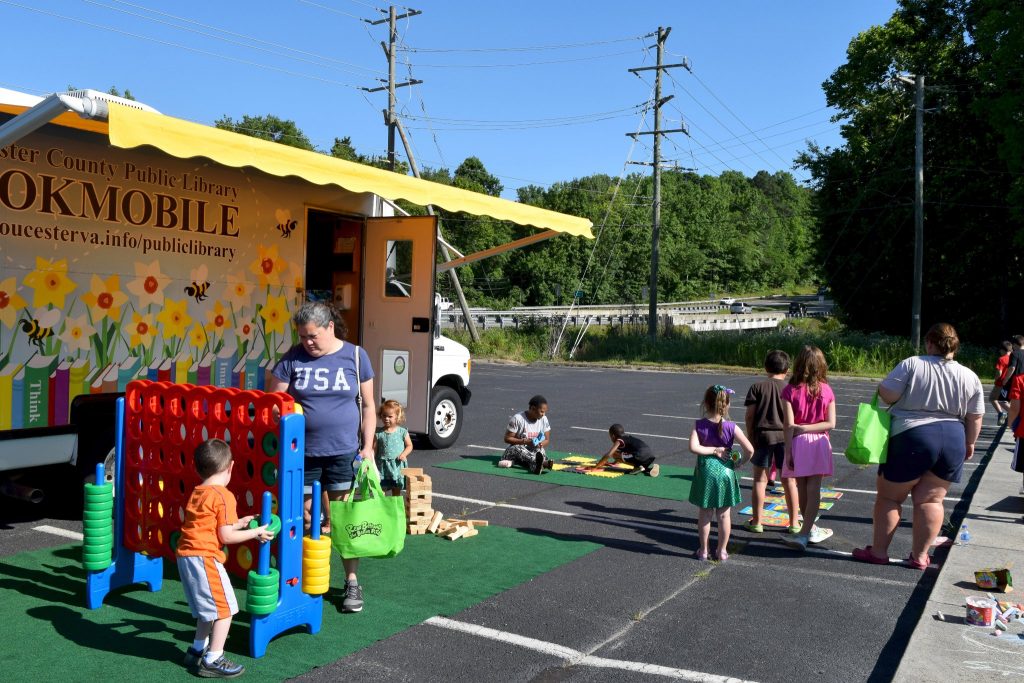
{"points": [[538, 91]]}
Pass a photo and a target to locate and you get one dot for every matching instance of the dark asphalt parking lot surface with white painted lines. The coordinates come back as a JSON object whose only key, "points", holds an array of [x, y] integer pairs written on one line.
{"points": [[641, 608]]}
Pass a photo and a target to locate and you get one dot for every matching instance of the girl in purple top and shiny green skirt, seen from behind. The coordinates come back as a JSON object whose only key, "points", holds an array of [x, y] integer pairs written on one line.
{"points": [[716, 488]]}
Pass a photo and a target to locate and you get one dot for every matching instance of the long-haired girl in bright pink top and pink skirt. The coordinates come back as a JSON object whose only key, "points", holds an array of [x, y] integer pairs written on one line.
{"points": [[810, 413]]}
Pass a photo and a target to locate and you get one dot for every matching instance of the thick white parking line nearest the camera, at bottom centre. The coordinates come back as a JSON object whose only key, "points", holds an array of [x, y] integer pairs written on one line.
{"points": [[576, 658]]}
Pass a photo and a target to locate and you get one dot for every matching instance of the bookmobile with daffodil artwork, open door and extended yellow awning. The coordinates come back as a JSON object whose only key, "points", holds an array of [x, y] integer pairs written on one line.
{"points": [[137, 245]]}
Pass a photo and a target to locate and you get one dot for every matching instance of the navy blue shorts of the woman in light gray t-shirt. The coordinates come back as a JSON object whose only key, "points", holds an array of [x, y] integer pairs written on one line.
{"points": [[938, 448]]}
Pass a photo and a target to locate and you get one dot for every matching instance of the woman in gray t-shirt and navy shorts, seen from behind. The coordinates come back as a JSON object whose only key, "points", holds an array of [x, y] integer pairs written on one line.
{"points": [[936, 406]]}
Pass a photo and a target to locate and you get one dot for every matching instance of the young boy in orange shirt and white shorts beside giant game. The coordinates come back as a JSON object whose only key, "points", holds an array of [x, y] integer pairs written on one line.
{"points": [[211, 522]]}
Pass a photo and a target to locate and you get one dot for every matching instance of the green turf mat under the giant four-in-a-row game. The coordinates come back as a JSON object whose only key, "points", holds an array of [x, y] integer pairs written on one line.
{"points": [[50, 635]]}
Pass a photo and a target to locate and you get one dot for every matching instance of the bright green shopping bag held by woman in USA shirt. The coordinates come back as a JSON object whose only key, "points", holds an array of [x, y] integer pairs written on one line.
{"points": [[370, 525]]}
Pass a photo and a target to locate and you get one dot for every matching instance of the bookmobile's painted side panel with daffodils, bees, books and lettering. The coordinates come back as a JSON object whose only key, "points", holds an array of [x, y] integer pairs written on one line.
{"points": [[116, 283]]}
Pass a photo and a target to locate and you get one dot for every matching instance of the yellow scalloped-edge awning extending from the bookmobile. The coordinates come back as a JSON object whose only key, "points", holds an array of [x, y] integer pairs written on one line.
{"points": [[133, 129]]}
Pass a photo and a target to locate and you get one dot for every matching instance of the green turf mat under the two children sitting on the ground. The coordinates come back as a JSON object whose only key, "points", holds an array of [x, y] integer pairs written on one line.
{"points": [[673, 484]]}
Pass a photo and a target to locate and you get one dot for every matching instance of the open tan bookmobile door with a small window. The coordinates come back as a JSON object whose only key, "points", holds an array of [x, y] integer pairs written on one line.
{"points": [[398, 311]]}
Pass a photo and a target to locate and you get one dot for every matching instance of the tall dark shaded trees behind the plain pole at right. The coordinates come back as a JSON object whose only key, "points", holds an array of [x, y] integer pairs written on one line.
{"points": [[865, 189]]}
